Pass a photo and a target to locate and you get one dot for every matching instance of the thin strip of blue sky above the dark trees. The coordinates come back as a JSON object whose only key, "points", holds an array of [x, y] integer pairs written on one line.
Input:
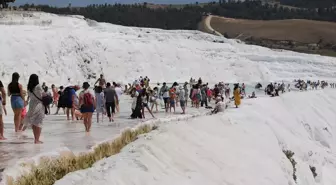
{"points": [[87, 2]]}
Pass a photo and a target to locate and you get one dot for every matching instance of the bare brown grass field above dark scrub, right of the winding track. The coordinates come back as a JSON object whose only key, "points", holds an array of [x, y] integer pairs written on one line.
{"points": [[305, 31]]}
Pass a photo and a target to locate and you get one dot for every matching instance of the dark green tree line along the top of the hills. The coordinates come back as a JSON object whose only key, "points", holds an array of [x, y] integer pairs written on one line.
{"points": [[188, 16]]}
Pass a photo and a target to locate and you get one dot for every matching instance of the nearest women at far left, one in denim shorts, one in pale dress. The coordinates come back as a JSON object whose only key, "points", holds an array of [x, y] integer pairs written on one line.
{"points": [[36, 110]]}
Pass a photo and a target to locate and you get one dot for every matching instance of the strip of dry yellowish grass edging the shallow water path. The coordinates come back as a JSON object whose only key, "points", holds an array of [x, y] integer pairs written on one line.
{"points": [[49, 171]]}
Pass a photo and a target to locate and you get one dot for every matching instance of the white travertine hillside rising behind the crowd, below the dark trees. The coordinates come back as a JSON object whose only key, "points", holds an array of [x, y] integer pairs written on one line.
{"points": [[62, 47]]}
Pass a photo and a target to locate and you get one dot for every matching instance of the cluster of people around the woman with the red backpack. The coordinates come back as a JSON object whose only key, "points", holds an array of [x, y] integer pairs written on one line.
{"points": [[104, 99]]}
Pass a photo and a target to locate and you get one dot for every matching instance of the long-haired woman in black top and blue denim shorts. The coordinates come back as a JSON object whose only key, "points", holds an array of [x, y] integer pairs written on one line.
{"points": [[15, 91]]}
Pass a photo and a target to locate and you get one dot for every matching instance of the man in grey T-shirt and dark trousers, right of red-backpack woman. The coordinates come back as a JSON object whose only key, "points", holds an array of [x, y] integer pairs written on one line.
{"points": [[110, 101]]}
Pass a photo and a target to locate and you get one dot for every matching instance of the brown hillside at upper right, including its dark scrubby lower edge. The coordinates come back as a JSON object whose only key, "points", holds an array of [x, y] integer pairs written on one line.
{"points": [[298, 35]]}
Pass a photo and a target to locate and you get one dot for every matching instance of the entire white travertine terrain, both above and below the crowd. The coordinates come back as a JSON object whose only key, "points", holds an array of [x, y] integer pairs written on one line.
{"points": [[243, 146]]}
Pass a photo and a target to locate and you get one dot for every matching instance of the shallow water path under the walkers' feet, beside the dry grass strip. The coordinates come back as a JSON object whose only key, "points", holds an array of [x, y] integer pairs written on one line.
{"points": [[58, 133]]}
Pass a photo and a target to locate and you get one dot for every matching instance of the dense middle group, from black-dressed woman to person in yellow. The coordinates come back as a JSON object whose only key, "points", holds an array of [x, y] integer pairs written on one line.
{"points": [[144, 97]]}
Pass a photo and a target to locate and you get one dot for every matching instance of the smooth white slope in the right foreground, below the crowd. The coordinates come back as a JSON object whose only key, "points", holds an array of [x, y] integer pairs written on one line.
{"points": [[242, 145]]}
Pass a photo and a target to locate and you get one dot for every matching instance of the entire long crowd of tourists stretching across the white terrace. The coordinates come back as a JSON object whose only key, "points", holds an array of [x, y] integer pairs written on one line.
{"points": [[104, 99]]}
